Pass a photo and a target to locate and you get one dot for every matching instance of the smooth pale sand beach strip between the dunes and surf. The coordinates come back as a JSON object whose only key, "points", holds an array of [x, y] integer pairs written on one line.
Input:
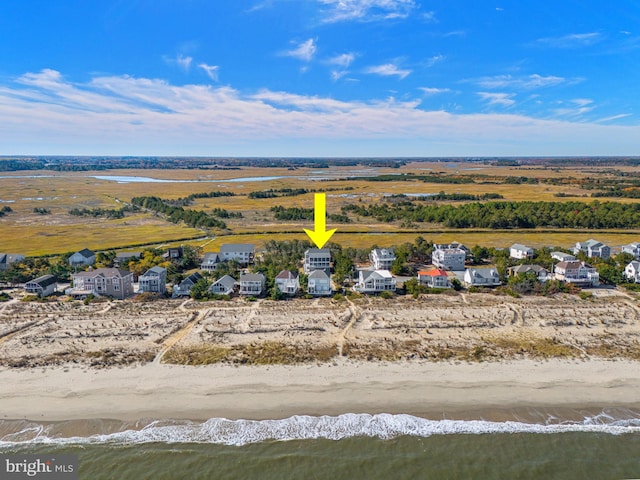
{"points": [[492, 391]]}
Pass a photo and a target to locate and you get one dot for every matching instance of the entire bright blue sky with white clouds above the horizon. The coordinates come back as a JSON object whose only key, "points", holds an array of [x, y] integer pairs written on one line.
{"points": [[320, 77]]}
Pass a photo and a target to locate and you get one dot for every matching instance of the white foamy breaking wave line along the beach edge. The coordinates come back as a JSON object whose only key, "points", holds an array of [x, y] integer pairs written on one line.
{"points": [[303, 427]]}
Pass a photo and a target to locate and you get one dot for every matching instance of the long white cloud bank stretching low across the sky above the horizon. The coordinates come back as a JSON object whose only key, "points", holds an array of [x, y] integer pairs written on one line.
{"points": [[45, 113]]}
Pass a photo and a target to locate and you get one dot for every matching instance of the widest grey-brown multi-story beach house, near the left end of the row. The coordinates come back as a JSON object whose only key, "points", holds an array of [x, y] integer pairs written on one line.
{"points": [[109, 282]]}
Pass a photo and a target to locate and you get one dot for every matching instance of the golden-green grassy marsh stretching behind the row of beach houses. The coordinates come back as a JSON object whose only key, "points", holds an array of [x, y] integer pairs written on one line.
{"points": [[24, 231]]}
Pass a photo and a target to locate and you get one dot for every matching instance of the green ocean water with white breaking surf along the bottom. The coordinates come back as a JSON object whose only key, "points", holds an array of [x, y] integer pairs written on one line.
{"points": [[350, 446]]}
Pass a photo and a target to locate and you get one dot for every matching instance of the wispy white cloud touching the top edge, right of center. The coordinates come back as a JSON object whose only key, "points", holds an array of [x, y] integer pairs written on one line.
{"points": [[366, 10]]}
